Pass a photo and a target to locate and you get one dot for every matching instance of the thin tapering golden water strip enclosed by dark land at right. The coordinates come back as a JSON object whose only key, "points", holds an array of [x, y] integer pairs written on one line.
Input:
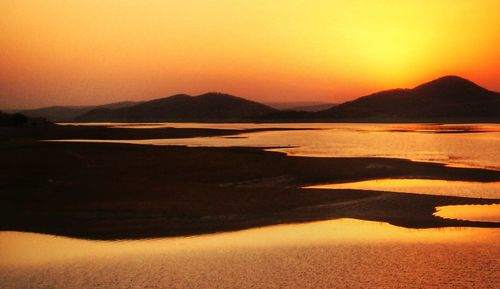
{"points": [[423, 186]]}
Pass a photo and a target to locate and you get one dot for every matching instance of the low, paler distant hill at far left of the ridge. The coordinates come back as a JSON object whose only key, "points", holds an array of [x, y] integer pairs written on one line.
{"points": [[69, 113]]}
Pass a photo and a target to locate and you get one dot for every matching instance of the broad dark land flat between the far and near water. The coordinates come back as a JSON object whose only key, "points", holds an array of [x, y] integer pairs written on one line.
{"points": [[115, 191]]}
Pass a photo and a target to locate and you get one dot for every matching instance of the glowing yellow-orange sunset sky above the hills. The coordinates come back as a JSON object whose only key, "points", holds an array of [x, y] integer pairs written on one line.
{"points": [[81, 52]]}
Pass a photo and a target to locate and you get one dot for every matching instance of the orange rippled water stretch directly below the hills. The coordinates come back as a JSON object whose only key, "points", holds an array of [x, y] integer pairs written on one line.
{"points": [[474, 145]]}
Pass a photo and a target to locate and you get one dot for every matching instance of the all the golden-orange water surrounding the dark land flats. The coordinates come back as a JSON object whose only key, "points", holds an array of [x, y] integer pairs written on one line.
{"points": [[343, 253]]}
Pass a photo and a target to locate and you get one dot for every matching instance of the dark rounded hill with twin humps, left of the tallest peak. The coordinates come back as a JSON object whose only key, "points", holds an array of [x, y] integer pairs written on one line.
{"points": [[214, 107]]}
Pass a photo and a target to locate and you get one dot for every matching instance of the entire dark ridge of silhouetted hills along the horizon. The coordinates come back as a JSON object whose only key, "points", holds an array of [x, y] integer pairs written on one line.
{"points": [[447, 99]]}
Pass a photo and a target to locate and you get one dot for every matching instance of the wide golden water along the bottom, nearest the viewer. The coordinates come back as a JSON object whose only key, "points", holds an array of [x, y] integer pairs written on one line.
{"points": [[341, 253]]}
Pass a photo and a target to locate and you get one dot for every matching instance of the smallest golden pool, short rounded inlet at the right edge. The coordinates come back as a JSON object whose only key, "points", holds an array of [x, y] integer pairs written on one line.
{"points": [[485, 213]]}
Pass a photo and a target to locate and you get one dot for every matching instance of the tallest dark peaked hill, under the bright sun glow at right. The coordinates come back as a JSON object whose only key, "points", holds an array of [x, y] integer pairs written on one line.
{"points": [[446, 97]]}
